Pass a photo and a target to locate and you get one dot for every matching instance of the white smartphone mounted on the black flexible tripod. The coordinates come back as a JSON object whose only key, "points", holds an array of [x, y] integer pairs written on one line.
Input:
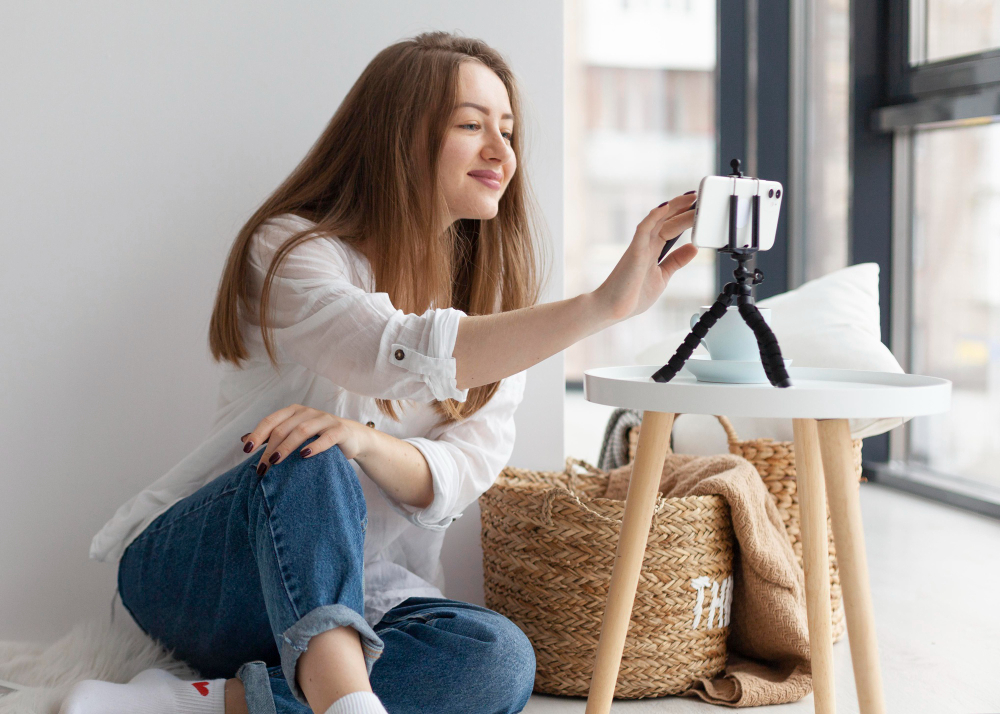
{"points": [[711, 215]]}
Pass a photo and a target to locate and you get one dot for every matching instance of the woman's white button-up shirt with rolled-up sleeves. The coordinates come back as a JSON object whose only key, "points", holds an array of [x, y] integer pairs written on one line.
{"points": [[340, 345]]}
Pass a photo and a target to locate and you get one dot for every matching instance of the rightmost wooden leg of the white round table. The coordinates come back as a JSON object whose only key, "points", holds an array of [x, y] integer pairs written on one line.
{"points": [[848, 536]]}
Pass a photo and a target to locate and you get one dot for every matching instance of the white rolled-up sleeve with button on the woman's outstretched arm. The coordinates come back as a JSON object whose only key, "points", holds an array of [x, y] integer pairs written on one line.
{"points": [[323, 320]]}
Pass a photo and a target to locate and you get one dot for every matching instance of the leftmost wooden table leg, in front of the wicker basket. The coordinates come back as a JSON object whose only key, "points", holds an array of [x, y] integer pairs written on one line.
{"points": [[654, 437]]}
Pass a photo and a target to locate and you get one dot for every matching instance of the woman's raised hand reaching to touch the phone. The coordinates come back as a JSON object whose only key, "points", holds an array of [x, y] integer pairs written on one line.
{"points": [[638, 279]]}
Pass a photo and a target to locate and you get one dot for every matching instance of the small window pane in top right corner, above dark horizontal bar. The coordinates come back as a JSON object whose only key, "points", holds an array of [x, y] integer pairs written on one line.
{"points": [[956, 27]]}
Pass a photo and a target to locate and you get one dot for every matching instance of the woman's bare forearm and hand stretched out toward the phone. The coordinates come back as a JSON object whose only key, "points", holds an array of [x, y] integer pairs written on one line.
{"points": [[491, 347]]}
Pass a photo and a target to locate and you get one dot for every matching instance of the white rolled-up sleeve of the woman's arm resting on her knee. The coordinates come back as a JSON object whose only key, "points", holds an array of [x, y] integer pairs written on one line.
{"points": [[466, 457]]}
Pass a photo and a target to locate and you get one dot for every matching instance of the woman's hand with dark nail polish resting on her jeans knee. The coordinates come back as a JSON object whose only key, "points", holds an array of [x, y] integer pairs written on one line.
{"points": [[286, 429]]}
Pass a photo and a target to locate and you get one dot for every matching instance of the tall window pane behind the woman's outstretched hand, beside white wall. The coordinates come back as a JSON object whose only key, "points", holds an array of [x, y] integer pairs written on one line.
{"points": [[640, 129]]}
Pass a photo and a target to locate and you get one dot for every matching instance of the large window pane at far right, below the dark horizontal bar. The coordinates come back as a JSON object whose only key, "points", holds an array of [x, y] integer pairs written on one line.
{"points": [[956, 297]]}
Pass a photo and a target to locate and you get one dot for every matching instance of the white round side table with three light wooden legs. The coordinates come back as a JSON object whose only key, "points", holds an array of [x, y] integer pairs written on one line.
{"points": [[820, 402]]}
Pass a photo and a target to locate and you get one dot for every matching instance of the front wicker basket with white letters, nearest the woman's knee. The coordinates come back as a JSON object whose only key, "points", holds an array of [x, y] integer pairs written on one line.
{"points": [[549, 543]]}
